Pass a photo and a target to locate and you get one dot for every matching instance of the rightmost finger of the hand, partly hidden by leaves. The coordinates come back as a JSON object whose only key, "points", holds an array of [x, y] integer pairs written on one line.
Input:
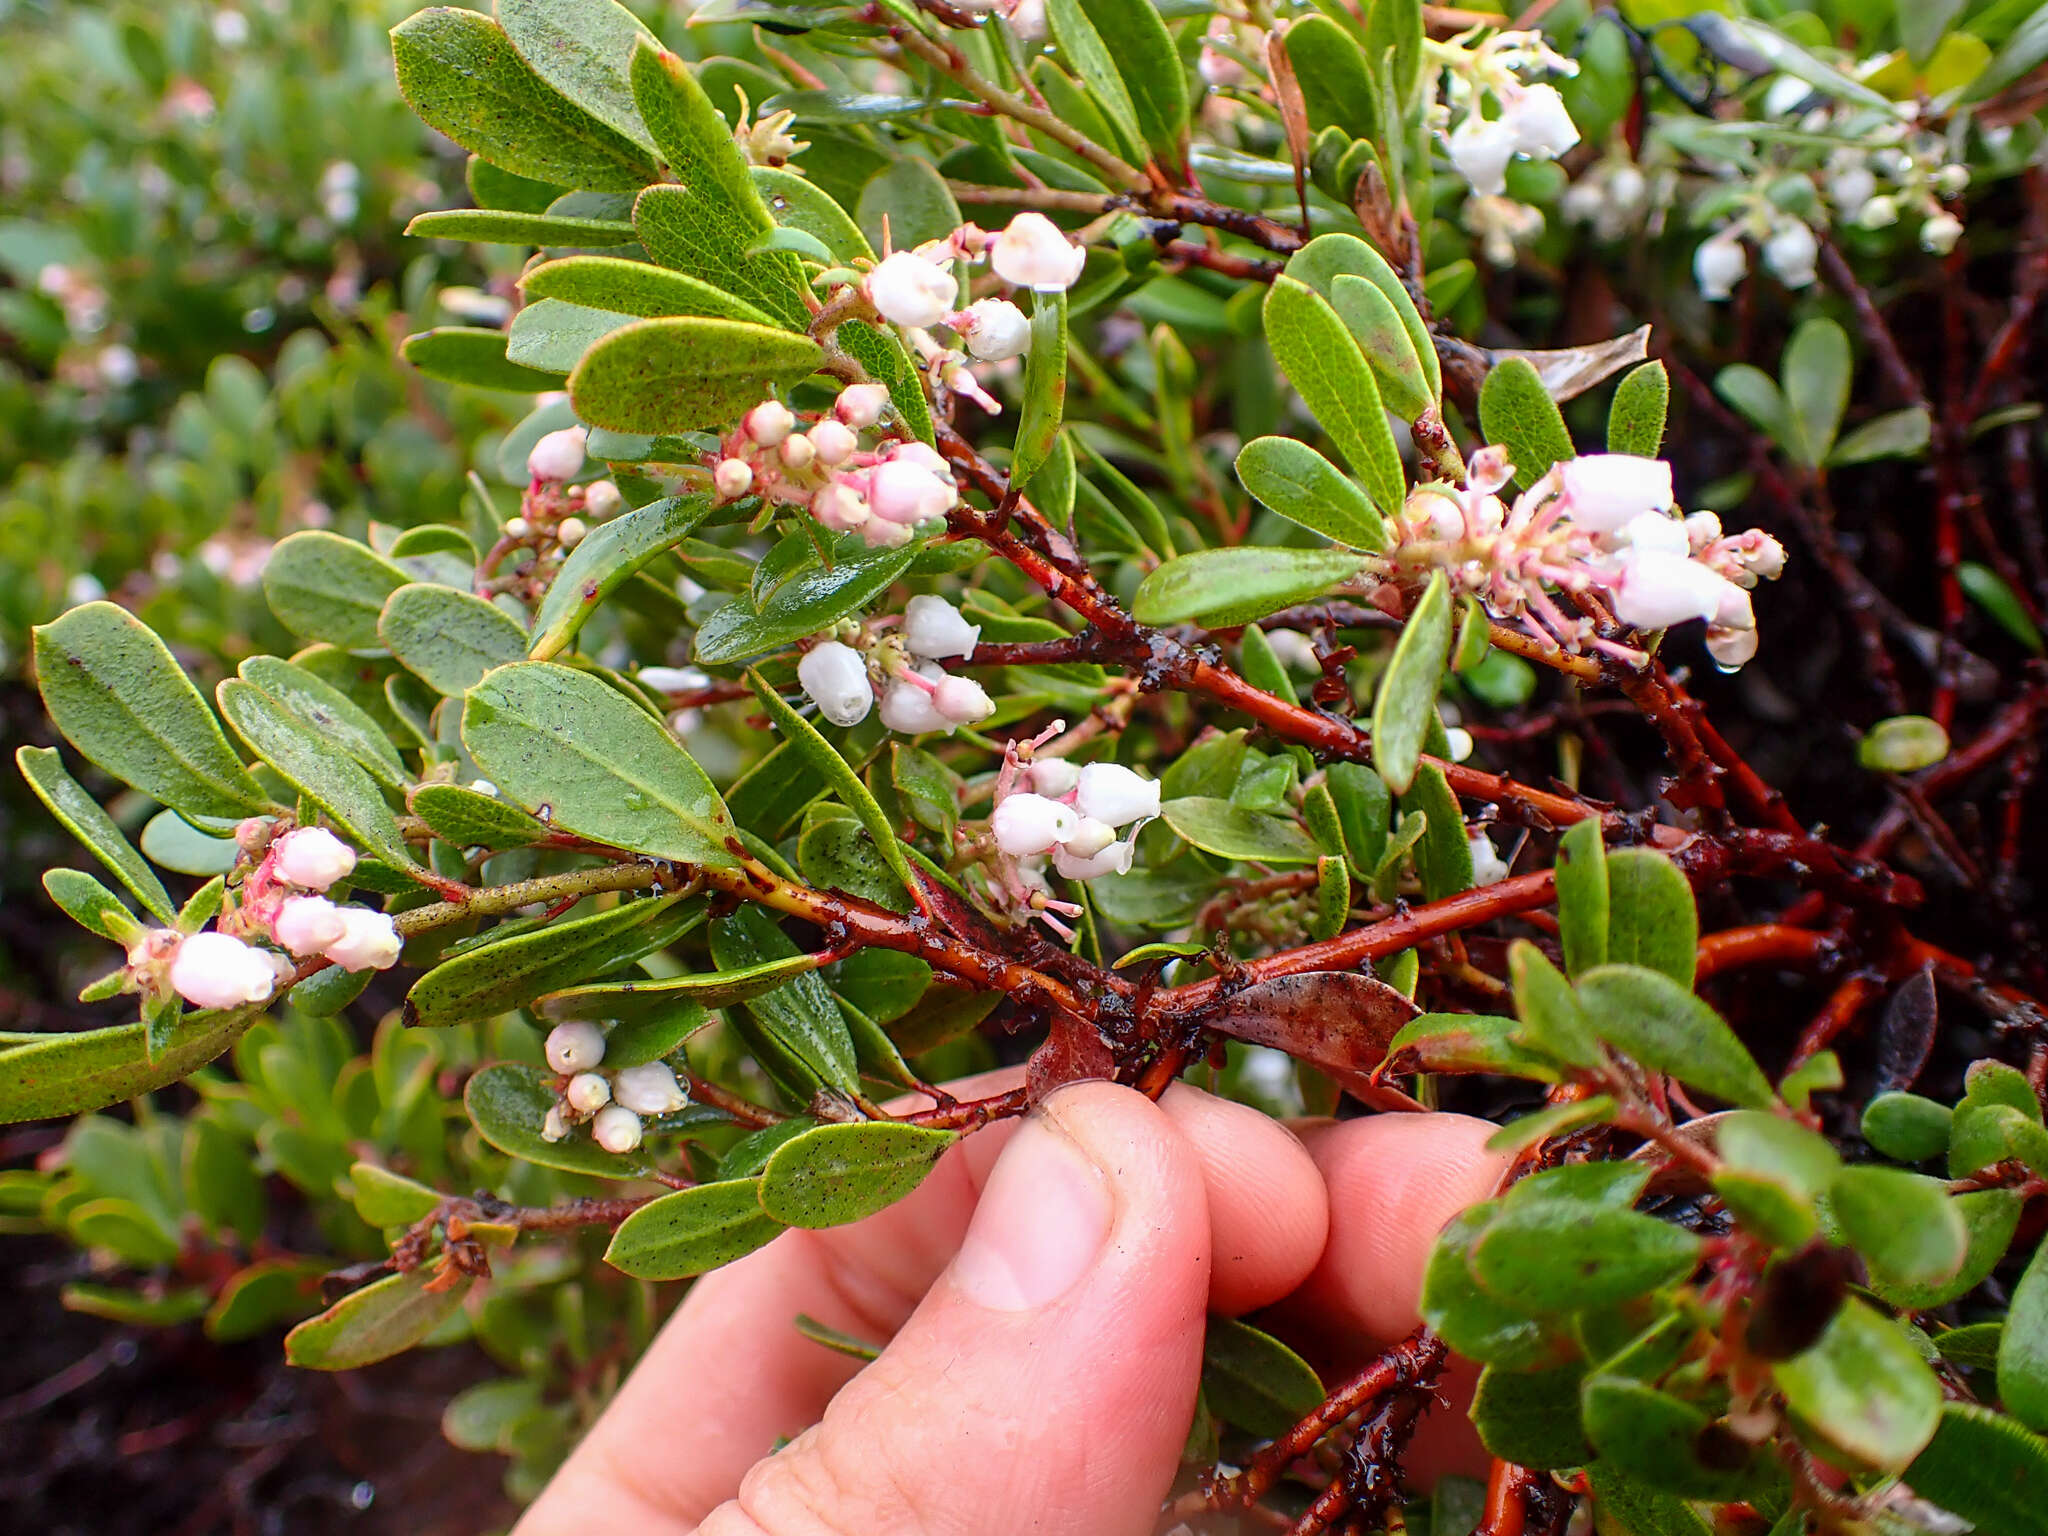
{"points": [[1394, 1183]]}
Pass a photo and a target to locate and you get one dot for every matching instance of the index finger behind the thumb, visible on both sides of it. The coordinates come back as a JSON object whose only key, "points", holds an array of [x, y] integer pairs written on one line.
{"points": [[728, 1375]]}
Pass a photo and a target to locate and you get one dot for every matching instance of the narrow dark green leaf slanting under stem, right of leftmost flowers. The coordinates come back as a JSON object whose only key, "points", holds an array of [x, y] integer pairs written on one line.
{"points": [[509, 974]]}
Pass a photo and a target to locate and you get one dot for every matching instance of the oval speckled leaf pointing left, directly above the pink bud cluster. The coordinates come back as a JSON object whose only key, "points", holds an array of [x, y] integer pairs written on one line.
{"points": [[687, 374]]}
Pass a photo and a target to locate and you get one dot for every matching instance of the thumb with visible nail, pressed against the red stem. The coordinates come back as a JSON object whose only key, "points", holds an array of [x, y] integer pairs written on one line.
{"points": [[1046, 1383]]}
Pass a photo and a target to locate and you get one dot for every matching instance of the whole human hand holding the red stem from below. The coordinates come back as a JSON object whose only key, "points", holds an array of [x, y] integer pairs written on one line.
{"points": [[1043, 1299]]}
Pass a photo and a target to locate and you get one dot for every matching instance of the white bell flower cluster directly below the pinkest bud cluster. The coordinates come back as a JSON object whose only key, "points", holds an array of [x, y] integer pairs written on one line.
{"points": [[916, 693]]}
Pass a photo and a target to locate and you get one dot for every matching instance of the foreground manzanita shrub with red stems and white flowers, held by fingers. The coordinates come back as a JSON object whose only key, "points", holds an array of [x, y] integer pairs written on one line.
{"points": [[1019, 534]]}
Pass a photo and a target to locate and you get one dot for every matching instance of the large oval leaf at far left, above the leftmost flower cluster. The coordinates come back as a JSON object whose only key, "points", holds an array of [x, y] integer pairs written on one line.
{"points": [[120, 697]]}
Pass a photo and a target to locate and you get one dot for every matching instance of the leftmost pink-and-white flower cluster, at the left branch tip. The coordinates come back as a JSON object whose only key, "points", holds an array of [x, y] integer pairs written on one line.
{"points": [[284, 904]]}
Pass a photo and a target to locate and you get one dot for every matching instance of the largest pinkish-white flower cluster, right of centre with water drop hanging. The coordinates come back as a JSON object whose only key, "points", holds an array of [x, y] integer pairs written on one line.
{"points": [[1603, 523]]}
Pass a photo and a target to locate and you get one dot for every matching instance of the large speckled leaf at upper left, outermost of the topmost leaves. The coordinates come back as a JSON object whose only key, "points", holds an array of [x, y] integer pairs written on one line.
{"points": [[462, 75]]}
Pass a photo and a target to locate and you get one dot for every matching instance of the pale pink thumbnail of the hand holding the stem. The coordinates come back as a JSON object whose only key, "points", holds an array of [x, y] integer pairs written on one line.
{"points": [[1043, 1220]]}
